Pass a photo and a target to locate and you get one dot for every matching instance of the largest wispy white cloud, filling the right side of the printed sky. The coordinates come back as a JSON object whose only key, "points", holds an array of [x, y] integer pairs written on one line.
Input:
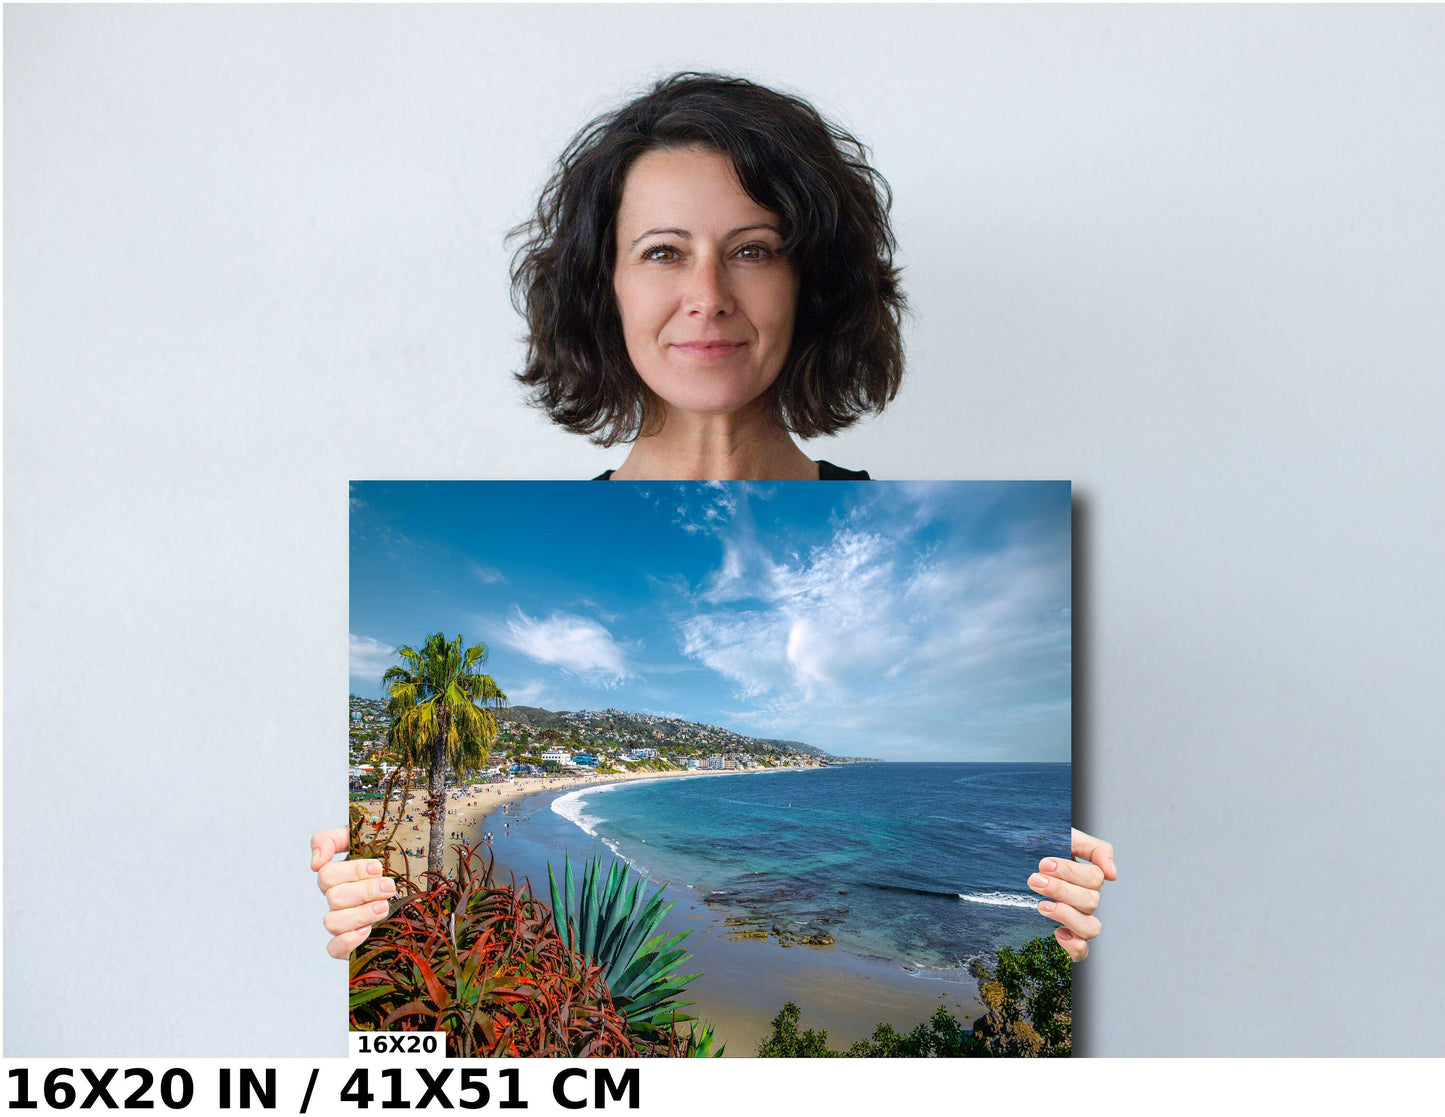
{"points": [[879, 638]]}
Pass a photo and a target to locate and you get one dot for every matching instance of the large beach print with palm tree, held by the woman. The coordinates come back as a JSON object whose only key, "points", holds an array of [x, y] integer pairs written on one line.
{"points": [[742, 769]]}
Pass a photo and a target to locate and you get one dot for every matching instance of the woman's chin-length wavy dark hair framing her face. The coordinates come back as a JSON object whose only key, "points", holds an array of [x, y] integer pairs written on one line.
{"points": [[847, 352]]}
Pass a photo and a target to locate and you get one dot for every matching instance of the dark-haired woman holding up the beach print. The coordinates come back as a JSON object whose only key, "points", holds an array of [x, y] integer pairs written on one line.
{"points": [[707, 277]]}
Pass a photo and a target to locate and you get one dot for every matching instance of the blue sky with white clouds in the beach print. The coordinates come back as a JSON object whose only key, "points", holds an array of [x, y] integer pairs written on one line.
{"points": [[907, 621]]}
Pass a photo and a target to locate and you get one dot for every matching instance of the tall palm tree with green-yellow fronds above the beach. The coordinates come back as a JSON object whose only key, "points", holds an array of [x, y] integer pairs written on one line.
{"points": [[441, 717]]}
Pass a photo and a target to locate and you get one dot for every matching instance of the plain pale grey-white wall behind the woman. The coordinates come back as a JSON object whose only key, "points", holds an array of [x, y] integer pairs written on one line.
{"points": [[1193, 259]]}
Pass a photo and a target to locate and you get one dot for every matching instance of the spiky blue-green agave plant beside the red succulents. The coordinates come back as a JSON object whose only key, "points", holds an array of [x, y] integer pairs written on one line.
{"points": [[611, 926]]}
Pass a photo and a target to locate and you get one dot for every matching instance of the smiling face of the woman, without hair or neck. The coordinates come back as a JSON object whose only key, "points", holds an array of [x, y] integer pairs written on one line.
{"points": [[707, 301]]}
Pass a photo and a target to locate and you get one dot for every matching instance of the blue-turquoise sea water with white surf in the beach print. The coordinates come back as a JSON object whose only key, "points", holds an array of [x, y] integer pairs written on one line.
{"points": [[926, 865]]}
